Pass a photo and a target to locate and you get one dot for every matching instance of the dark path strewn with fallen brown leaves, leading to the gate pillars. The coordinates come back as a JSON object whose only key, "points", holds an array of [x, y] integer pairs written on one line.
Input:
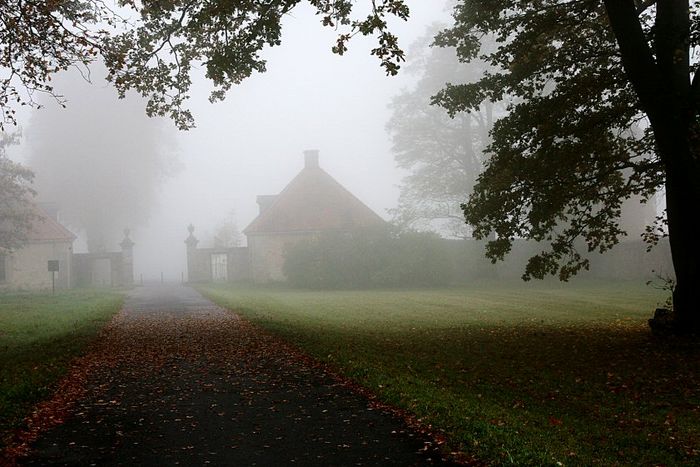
{"points": [[177, 380]]}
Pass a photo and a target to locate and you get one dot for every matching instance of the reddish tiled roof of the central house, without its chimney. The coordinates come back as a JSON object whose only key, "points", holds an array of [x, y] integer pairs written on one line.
{"points": [[313, 201]]}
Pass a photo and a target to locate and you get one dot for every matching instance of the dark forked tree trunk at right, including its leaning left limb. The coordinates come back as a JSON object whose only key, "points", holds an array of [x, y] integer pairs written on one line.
{"points": [[662, 82]]}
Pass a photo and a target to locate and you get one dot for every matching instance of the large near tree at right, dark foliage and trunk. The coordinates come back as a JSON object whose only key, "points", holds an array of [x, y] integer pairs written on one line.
{"points": [[580, 75]]}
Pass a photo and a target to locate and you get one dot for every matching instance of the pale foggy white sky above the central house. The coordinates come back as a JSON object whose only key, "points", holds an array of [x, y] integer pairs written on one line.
{"points": [[252, 142]]}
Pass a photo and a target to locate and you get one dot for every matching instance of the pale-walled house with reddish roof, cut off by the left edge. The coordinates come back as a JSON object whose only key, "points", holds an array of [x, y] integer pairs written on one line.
{"points": [[28, 267]]}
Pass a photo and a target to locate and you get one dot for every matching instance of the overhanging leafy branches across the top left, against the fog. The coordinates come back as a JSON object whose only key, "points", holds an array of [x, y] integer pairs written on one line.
{"points": [[155, 46]]}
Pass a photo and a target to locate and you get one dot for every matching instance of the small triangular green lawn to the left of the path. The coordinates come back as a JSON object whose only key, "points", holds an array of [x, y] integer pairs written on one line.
{"points": [[39, 335]]}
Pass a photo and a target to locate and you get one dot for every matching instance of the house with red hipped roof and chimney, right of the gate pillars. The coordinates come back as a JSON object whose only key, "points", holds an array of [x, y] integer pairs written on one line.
{"points": [[311, 204]]}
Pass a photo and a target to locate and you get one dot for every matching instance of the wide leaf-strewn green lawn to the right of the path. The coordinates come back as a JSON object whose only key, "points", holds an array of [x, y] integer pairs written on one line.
{"points": [[538, 374]]}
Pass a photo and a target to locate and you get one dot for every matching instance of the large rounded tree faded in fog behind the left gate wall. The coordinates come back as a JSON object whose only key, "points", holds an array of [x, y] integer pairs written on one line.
{"points": [[101, 159]]}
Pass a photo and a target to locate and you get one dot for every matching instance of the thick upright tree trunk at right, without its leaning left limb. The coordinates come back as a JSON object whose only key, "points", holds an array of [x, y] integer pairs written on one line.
{"points": [[675, 125]]}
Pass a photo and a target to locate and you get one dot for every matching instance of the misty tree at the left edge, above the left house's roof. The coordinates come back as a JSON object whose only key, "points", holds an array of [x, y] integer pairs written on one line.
{"points": [[16, 211]]}
